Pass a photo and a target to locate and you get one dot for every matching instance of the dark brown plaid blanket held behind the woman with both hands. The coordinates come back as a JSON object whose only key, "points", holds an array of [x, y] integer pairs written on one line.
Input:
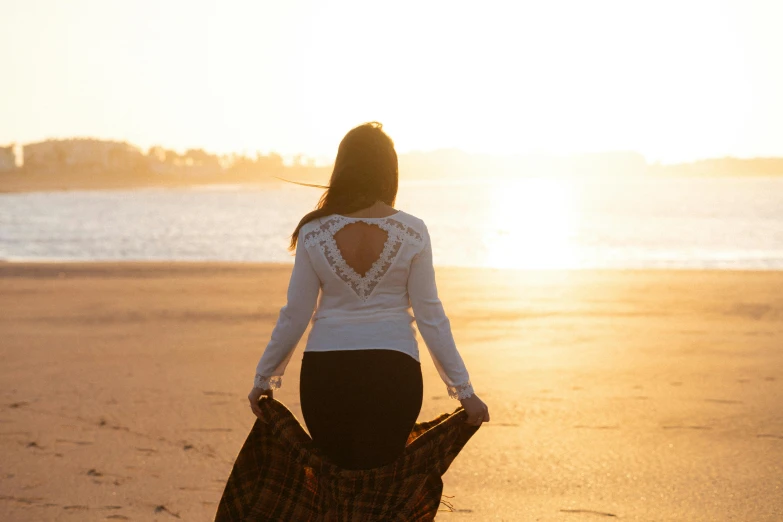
{"points": [[279, 475]]}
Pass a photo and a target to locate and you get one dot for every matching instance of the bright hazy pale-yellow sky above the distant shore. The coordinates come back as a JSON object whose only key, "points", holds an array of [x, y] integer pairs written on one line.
{"points": [[674, 80]]}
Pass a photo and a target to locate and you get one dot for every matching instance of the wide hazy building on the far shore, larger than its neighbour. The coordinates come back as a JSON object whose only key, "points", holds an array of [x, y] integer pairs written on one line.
{"points": [[82, 155]]}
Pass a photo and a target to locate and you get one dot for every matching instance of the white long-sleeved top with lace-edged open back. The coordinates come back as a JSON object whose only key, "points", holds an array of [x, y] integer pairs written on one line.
{"points": [[372, 311]]}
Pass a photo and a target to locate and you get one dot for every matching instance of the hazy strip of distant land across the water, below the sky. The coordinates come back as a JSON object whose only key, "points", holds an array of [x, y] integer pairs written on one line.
{"points": [[93, 164]]}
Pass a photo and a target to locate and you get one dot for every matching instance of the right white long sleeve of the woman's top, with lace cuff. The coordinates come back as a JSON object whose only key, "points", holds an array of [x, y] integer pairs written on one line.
{"points": [[433, 324]]}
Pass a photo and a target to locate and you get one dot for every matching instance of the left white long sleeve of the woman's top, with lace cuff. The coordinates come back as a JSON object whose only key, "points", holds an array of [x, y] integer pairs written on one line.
{"points": [[294, 317]]}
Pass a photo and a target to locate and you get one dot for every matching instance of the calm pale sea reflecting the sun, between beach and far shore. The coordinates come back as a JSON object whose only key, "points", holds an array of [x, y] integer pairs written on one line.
{"points": [[533, 223]]}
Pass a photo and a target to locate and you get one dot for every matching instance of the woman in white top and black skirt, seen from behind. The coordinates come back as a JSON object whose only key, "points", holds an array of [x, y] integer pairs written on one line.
{"points": [[361, 382]]}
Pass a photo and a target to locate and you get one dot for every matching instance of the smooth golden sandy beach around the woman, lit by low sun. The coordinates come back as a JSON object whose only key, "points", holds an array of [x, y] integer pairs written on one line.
{"points": [[629, 395]]}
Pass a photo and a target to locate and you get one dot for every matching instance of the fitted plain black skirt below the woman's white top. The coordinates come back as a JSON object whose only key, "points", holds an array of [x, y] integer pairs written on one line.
{"points": [[360, 405]]}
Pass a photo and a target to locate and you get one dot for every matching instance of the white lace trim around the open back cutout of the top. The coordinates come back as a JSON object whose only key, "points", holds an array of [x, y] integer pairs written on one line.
{"points": [[363, 286]]}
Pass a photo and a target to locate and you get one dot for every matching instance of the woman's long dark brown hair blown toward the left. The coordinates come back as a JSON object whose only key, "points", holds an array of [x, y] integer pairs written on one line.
{"points": [[365, 171]]}
